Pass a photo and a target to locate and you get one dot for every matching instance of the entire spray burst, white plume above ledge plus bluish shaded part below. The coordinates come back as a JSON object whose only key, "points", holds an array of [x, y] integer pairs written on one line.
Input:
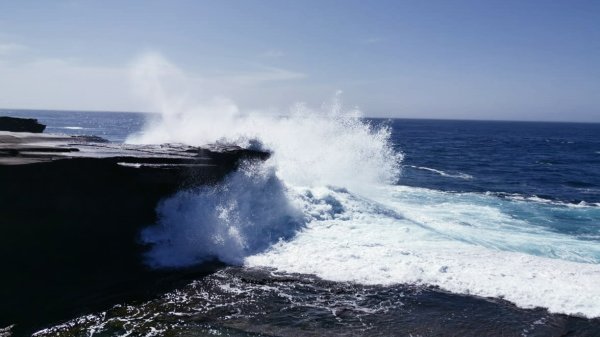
{"points": [[260, 204]]}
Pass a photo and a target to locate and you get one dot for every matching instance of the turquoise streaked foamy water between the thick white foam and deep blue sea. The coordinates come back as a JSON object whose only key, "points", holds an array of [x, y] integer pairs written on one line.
{"points": [[488, 222]]}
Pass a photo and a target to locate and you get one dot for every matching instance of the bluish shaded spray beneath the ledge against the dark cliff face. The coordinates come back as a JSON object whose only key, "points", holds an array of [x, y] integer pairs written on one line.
{"points": [[244, 215]]}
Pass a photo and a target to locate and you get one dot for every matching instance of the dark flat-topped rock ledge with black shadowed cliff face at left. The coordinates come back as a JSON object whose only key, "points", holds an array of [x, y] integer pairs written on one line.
{"points": [[71, 212]]}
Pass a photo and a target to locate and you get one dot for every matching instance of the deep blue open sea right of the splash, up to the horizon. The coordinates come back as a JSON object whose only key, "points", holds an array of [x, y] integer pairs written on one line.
{"points": [[554, 161]]}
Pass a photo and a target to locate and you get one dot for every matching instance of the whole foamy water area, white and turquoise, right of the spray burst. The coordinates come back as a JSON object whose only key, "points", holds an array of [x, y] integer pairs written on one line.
{"points": [[378, 241]]}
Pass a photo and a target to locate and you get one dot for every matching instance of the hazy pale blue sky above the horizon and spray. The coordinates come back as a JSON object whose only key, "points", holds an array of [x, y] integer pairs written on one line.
{"points": [[499, 60]]}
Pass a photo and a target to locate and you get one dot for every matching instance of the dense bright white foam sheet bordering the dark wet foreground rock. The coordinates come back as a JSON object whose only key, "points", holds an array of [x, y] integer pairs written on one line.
{"points": [[372, 244]]}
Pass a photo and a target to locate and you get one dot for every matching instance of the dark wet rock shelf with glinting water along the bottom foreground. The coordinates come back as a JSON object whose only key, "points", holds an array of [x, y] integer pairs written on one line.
{"points": [[239, 301]]}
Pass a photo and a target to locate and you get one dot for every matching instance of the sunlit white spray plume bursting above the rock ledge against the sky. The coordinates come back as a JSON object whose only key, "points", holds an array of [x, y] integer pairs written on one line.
{"points": [[311, 147]]}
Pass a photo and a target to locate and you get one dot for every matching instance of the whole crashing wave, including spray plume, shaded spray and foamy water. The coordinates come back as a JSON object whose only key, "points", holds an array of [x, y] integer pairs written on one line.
{"points": [[329, 192]]}
